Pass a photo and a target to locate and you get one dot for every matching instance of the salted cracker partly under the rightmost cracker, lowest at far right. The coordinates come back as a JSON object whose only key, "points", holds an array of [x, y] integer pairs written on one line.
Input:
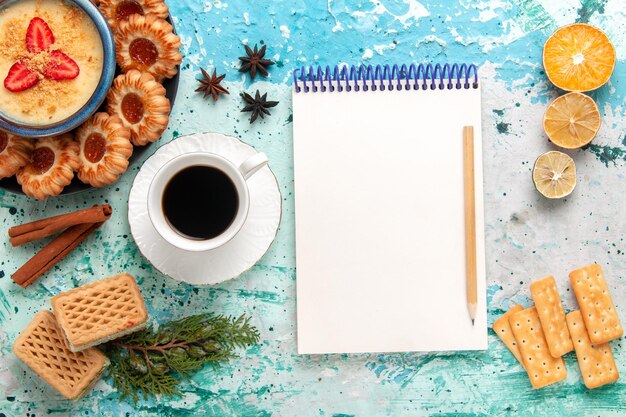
{"points": [[596, 362]]}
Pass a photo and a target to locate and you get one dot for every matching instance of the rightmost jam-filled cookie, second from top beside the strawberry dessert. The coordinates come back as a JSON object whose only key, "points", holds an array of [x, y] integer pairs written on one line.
{"points": [[148, 43]]}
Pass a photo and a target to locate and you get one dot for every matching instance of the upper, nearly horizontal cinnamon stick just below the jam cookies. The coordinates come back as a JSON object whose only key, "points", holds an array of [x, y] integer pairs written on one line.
{"points": [[47, 227]]}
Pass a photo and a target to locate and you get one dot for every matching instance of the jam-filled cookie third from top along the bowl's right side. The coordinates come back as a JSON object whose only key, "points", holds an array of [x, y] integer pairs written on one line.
{"points": [[140, 102]]}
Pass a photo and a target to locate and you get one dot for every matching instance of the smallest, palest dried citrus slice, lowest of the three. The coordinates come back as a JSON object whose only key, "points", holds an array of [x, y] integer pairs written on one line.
{"points": [[554, 174]]}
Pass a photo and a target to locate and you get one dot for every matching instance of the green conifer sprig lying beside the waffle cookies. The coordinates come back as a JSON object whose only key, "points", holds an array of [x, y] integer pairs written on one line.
{"points": [[153, 362]]}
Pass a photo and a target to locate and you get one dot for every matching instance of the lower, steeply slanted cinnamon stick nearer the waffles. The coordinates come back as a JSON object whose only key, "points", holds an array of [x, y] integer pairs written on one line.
{"points": [[53, 253]]}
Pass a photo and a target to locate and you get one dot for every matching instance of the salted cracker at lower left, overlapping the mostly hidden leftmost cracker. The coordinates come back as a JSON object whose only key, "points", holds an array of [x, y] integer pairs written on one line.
{"points": [[542, 368]]}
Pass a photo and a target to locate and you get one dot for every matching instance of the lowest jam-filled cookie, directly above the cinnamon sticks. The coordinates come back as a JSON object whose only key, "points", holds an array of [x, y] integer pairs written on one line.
{"points": [[51, 167]]}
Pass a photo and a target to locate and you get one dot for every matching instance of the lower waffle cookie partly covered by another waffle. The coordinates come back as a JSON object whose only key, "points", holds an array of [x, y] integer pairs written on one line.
{"points": [[42, 347]]}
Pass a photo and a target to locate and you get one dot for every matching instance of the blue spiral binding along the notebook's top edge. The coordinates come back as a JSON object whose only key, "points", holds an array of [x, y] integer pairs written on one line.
{"points": [[366, 77]]}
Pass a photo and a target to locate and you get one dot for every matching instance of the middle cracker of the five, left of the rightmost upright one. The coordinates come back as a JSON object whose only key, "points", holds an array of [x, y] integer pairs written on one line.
{"points": [[552, 316]]}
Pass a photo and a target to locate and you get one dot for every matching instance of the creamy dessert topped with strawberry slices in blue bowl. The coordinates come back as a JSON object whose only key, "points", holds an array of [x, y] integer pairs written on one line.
{"points": [[57, 62]]}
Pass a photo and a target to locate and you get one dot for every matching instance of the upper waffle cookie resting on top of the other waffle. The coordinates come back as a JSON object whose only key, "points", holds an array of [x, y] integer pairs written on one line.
{"points": [[101, 311]]}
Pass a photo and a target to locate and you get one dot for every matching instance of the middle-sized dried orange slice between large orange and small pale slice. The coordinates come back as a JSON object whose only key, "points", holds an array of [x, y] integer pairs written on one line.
{"points": [[572, 120]]}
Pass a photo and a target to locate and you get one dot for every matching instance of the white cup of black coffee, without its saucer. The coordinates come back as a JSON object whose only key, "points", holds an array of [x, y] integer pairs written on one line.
{"points": [[199, 201]]}
